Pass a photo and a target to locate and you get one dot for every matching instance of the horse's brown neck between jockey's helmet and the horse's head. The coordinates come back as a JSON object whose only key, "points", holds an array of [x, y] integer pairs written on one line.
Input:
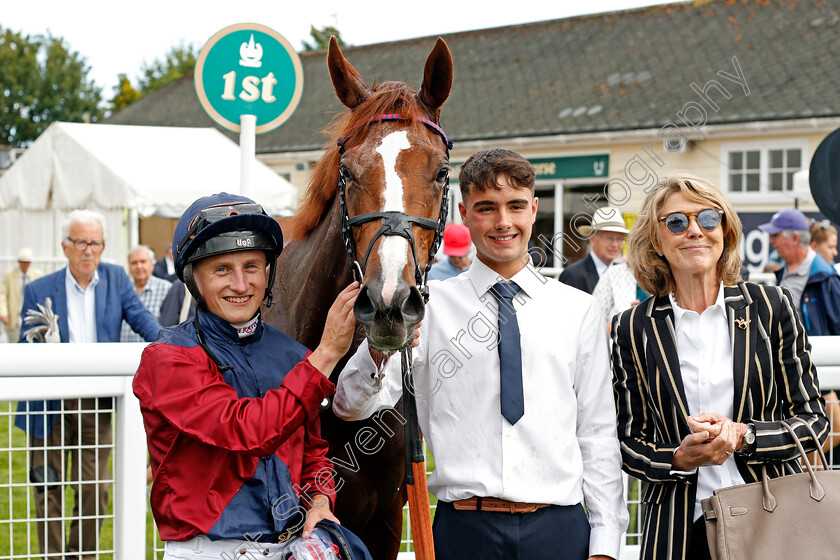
{"points": [[310, 274]]}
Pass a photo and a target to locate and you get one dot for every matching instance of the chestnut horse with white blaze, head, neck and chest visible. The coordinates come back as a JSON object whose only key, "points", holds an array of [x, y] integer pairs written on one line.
{"points": [[383, 180]]}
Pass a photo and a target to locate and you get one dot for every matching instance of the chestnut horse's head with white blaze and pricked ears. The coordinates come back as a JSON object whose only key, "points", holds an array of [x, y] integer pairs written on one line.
{"points": [[394, 173]]}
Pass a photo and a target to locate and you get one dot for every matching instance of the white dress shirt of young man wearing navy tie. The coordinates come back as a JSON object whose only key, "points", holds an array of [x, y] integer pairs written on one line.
{"points": [[564, 450]]}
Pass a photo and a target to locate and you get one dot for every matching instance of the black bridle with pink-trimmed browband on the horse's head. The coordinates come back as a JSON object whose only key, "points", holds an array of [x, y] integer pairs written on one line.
{"points": [[393, 223]]}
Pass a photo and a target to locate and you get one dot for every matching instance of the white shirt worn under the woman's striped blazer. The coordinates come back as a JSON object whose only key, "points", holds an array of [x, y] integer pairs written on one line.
{"points": [[706, 371]]}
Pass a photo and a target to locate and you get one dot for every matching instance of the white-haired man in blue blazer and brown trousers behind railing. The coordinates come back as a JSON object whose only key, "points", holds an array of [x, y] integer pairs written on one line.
{"points": [[91, 300]]}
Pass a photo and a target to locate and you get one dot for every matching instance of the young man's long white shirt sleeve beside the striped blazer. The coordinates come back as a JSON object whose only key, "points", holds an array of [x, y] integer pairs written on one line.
{"points": [[597, 438]]}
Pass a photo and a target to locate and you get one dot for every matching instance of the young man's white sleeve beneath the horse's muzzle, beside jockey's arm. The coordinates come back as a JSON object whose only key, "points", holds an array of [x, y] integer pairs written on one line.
{"points": [[364, 389]]}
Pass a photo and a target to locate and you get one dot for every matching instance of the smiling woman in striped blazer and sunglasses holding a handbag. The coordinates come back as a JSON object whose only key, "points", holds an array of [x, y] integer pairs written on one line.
{"points": [[706, 369]]}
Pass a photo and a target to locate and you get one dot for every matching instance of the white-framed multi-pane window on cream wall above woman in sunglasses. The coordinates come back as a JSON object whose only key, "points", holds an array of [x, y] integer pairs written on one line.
{"points": [[762, 169]]}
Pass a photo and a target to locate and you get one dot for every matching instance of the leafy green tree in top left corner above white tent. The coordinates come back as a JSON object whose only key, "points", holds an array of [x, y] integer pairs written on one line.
{"points": [[42, 81]]}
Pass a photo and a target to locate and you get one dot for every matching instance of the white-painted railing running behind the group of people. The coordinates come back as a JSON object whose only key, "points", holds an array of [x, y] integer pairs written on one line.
{"points": [[67, 371]]}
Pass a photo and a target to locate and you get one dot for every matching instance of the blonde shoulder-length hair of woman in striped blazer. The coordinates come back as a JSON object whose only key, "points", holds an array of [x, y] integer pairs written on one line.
{"points": [[644, 249]]}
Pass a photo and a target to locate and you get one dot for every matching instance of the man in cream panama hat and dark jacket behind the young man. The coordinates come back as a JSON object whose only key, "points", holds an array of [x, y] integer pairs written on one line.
{"points": [[608, 233]]}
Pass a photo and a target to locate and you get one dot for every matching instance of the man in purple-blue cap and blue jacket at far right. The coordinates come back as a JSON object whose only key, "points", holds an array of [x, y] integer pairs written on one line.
{"points": [[812, 281]]}
